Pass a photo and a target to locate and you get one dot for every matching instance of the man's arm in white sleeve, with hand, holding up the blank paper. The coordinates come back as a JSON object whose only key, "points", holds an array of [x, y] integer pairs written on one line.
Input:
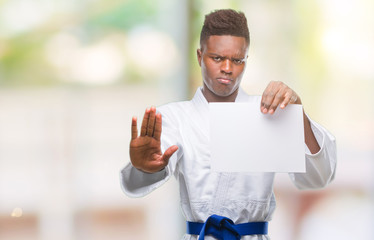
{"points": [[321, 153]]}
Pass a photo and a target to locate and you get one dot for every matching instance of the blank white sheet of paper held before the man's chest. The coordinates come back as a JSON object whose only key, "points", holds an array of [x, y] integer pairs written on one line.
{"points": [[242, 139]]}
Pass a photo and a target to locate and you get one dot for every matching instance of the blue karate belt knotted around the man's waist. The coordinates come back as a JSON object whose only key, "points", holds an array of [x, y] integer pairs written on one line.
{"points": [[224, 228]]}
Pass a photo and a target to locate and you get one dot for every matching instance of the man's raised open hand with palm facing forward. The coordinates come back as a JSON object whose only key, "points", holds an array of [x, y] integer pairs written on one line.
{"points": [[145, 150]]}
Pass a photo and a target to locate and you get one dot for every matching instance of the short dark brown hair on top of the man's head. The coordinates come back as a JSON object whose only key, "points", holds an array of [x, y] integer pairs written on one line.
{"points": [[224, 22]]}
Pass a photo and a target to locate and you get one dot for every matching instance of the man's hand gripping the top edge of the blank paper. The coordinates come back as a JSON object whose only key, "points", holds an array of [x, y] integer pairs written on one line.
{"points": [[275, 94]]}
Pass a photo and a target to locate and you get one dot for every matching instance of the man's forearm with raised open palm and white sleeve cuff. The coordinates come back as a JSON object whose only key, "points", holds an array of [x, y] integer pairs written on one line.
{"points": [[149, 168]]}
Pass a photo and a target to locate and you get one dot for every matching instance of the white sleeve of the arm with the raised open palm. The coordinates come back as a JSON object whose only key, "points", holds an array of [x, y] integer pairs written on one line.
{"points": [[136, 183]]}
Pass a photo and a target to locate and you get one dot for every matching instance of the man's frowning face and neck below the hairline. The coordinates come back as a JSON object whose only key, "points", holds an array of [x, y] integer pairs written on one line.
{"points": [[222, 60]]}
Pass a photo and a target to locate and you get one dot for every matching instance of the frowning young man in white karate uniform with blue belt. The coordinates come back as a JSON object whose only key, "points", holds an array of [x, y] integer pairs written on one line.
{"points": [[175, 141]]}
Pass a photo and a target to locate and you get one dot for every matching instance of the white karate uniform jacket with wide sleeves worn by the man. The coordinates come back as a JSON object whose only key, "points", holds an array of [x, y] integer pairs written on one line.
{"points": [[242, 197]]}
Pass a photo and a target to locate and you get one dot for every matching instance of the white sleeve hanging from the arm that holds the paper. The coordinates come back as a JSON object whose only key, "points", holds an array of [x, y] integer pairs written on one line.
{"points": [[321, 166]]}
